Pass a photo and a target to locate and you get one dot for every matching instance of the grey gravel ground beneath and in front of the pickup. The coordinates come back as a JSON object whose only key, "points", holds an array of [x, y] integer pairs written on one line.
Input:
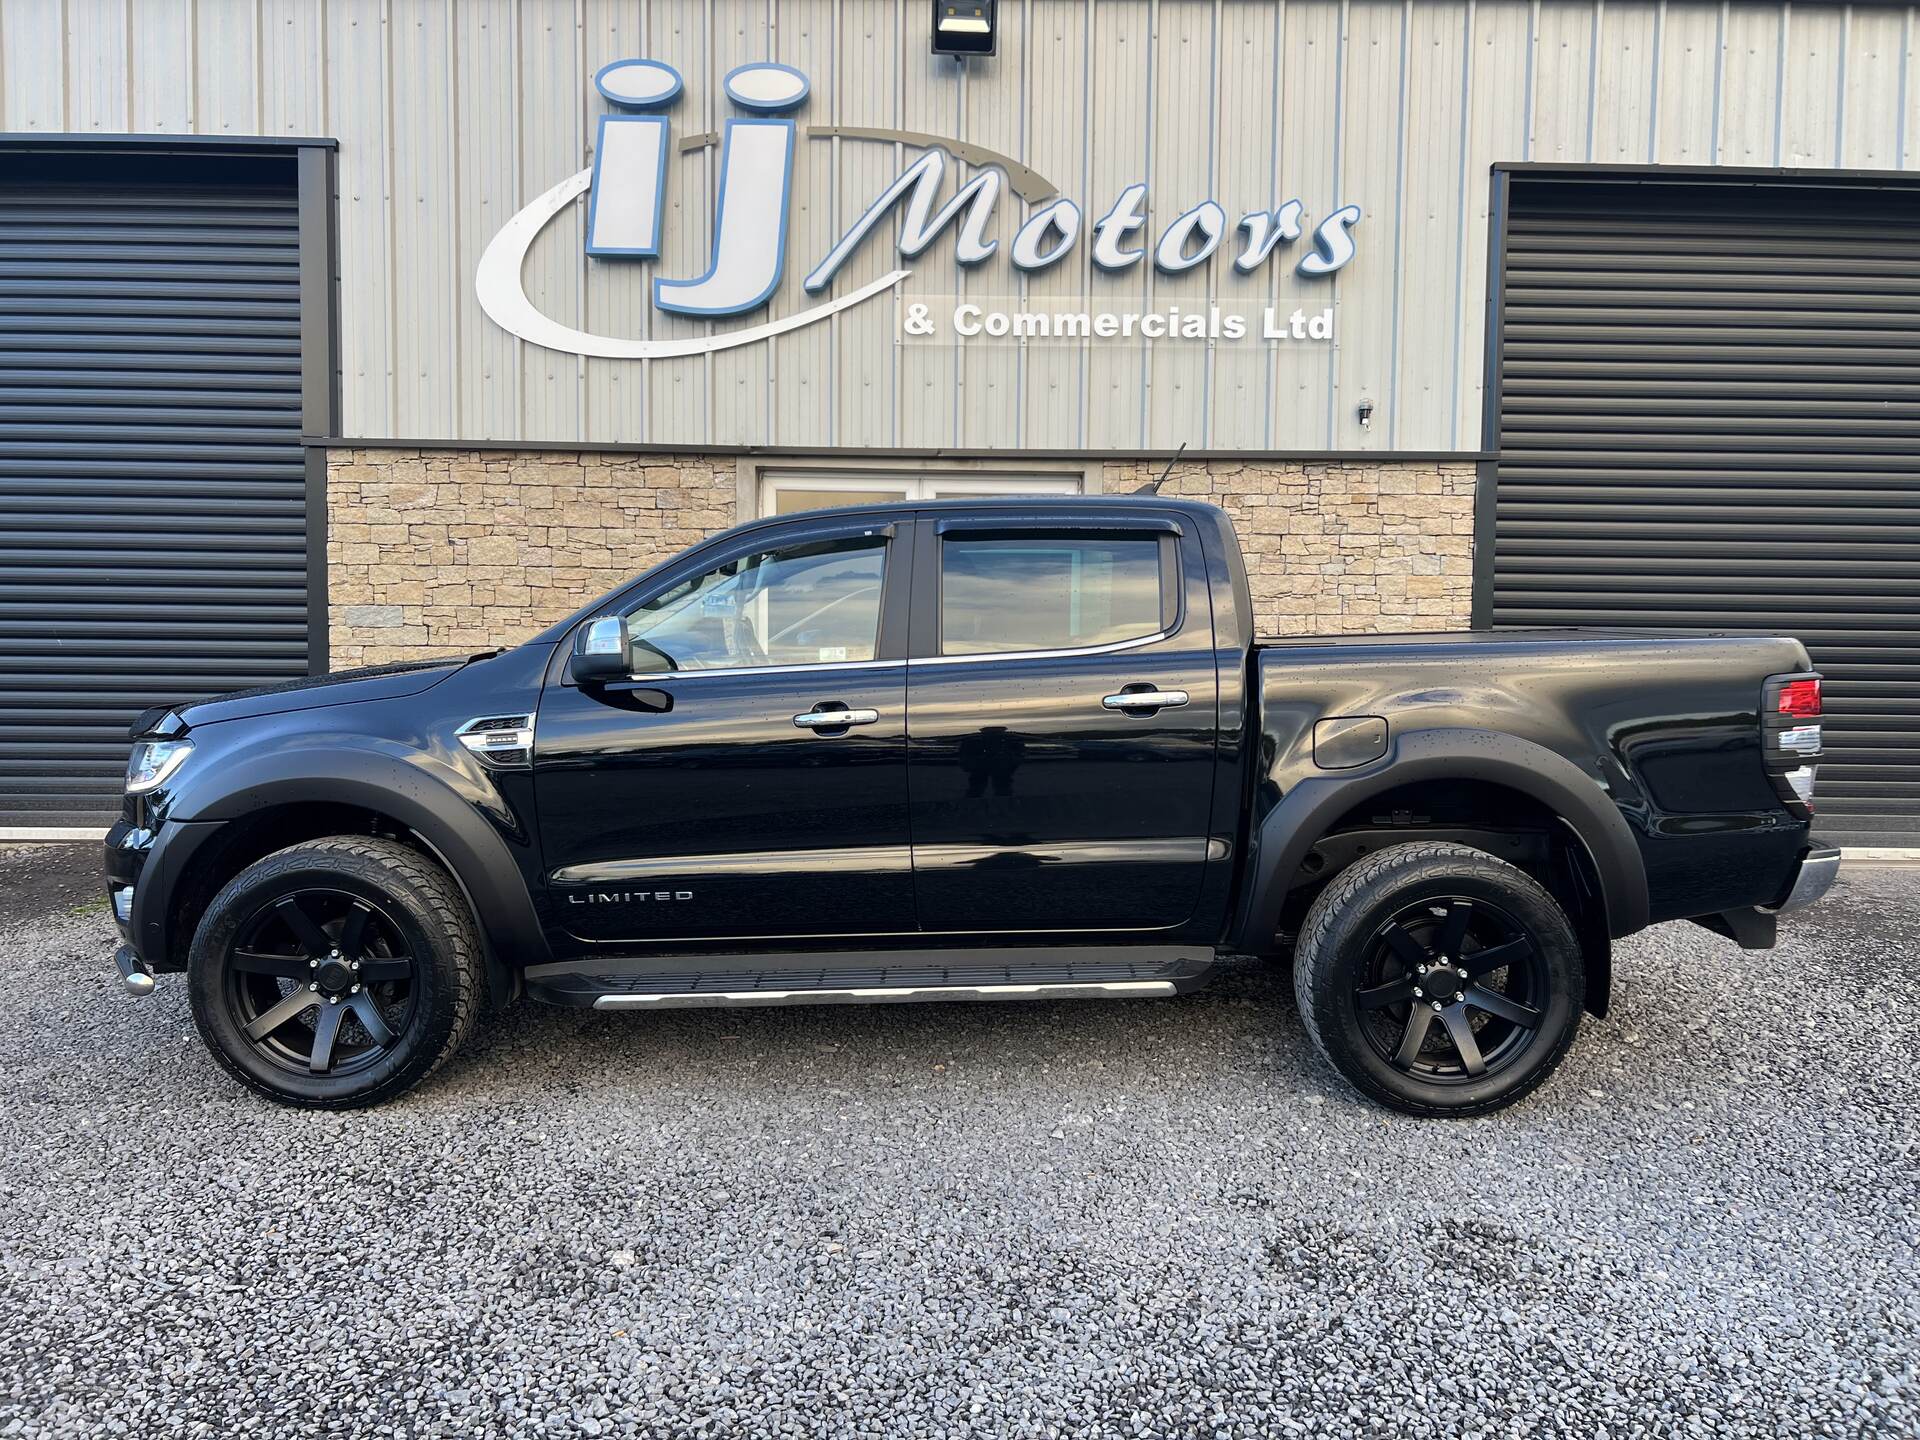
{"points": [[1007, 1220]]}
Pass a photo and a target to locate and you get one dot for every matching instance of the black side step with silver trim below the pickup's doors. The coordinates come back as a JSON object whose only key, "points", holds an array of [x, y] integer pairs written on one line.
{"points": [[711, 982]]}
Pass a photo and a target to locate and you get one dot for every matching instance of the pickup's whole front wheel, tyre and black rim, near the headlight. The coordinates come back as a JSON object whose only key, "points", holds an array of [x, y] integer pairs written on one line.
{"points": [[337, 974]]}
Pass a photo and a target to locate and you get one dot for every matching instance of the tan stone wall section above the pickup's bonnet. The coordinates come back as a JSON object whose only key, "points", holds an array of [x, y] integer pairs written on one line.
{"points": [[458, 550]]}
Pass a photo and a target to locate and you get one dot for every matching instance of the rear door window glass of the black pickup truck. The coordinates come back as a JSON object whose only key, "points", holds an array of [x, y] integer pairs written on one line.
{"points": [[1047, 594]]}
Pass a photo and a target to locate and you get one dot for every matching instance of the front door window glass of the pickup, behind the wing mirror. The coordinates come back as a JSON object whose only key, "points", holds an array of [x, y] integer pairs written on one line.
{"points": [[805, 604]]}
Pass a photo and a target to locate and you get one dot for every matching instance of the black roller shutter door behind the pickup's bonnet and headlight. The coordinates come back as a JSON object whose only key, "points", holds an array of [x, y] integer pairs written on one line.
{"points": [[149, 443]]}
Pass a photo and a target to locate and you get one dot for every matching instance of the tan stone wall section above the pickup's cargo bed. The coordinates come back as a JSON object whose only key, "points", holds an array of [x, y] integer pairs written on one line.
{"points": [[1345, 548]]}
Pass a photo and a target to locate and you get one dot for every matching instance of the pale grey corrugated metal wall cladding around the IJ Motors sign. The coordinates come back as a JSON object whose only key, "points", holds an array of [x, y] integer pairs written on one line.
{"points": [[454, 114]]}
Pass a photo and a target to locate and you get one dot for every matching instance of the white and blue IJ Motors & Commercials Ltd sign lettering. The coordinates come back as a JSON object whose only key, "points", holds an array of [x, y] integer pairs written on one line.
{"points": [[627, 204]]}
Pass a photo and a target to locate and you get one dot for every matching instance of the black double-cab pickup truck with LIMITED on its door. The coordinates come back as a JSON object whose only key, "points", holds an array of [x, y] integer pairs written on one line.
{"points": [[969, 750]]}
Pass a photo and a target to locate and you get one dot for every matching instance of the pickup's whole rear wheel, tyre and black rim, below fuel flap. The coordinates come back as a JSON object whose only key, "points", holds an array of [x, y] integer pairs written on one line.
{"points": [[1439, 980]]}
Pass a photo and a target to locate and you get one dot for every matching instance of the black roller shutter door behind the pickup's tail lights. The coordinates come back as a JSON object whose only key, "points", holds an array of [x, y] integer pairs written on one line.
{"points": [[1710, 416]]}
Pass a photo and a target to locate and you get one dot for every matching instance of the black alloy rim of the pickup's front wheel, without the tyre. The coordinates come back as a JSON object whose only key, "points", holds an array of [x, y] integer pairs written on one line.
{"points": [[322, 982]]}
